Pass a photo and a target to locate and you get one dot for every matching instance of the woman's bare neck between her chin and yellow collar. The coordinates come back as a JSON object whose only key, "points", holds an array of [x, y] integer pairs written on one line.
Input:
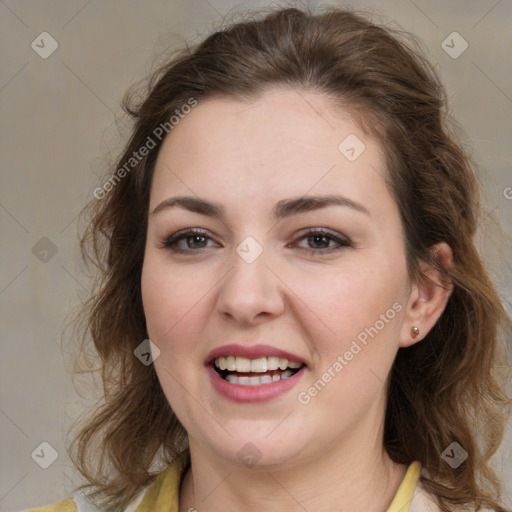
{"points": [[349, 476]]}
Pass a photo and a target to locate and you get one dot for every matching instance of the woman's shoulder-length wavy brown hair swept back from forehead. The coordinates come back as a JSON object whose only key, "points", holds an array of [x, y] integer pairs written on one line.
{"points": [[446, 388]]}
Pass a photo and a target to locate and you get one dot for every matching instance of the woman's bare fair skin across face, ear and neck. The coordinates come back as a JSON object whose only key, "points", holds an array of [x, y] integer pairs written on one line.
{"points": [[328, 454]]}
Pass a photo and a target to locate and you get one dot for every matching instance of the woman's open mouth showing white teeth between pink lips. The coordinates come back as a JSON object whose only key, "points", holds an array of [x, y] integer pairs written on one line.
{"points": [[254, 372]]}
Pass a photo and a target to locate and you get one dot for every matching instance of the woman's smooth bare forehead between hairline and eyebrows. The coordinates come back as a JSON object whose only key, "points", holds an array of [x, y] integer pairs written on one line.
{"points": [[284, 142]]}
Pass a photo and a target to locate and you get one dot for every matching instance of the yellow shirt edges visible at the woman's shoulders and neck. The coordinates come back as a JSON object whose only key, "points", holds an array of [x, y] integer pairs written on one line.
{"points": [[162, 495]]}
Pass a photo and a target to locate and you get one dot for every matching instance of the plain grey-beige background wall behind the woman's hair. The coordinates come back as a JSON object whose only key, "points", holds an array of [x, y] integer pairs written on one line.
{"points": [[58, 130]]}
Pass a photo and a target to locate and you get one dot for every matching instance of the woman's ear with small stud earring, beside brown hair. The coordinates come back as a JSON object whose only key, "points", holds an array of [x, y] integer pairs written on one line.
{"points": [[428, 297]]}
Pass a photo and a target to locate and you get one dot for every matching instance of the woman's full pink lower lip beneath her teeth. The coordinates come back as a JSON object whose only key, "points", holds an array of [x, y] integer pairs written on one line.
{"points": [[250, 394]]}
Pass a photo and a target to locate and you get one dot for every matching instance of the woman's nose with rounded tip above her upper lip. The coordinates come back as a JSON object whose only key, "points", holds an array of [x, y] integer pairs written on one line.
{"points": [[250, 292]]}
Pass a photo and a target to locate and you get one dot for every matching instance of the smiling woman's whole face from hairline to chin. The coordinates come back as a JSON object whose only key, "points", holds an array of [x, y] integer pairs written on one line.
{"points": [[272, 275]]}
